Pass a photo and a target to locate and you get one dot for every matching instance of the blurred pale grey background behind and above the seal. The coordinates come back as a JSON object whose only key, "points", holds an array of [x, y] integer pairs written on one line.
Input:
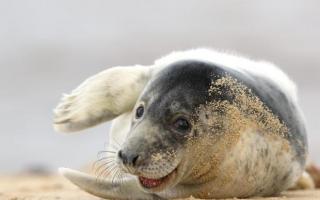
{"points": [[49, 47]]}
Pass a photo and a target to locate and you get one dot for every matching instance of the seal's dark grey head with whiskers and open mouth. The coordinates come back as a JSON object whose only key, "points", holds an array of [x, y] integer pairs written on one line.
{"points": [[163, 124]]}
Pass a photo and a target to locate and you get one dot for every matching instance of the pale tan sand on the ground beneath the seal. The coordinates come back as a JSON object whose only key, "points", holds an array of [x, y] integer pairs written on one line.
{"points": [[54, 187]]}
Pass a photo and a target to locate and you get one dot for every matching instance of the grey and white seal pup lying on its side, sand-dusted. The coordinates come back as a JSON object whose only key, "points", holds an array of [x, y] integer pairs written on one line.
{"points": [[196, 123]]}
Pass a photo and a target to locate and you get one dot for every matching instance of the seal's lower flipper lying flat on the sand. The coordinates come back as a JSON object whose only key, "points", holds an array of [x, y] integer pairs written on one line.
{"points": [[126, 189]]}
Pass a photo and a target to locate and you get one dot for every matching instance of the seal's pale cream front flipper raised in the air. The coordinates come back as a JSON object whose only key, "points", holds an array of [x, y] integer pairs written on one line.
{"points": [[101, 98]]}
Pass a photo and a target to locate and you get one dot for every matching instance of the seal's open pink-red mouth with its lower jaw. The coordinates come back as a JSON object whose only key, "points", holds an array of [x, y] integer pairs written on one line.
{"points": [[159, 184]]}
